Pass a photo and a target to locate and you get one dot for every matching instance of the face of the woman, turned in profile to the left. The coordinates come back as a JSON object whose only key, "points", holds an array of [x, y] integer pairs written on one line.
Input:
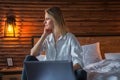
{"points": [[48, 22]]}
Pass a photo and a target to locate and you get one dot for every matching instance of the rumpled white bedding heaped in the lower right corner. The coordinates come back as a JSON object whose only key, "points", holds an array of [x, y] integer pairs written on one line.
{"points": [[104, 70]]}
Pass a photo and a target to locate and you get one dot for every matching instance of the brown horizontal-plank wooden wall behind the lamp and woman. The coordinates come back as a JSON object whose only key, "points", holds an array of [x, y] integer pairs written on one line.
{"points": [[83, 17]]}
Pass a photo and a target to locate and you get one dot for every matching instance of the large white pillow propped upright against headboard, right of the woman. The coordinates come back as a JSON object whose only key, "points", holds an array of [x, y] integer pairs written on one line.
{"points": [[91, 53]]}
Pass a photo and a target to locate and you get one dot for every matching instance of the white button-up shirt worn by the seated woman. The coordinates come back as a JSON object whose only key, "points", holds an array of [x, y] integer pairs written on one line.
{"points": [[66, 48]]}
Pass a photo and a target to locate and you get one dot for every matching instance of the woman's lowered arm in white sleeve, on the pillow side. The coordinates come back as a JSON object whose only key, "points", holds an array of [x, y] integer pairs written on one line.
{"points": [[76, 51]]}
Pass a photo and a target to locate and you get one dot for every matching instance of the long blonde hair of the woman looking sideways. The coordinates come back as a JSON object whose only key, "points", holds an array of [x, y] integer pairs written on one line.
{"points": [[59, 22]]}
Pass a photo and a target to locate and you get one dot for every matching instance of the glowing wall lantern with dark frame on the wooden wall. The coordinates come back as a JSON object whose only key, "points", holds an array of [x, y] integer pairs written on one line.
{"points": [[10, 25]]}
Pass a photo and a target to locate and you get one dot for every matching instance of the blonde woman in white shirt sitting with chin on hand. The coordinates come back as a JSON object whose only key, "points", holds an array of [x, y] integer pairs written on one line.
{"points": [[58, 43]]}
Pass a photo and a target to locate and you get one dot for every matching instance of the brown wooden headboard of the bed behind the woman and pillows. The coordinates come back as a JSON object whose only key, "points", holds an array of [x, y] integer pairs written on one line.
{"points": [[108, 43]]}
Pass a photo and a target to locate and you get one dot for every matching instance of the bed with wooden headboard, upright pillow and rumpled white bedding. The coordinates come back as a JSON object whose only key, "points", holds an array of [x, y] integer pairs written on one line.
{"points": [[98, 46]]}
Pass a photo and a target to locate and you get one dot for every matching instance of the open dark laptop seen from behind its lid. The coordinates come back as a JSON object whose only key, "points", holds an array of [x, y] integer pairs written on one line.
{"points": [[49, 70]]}
